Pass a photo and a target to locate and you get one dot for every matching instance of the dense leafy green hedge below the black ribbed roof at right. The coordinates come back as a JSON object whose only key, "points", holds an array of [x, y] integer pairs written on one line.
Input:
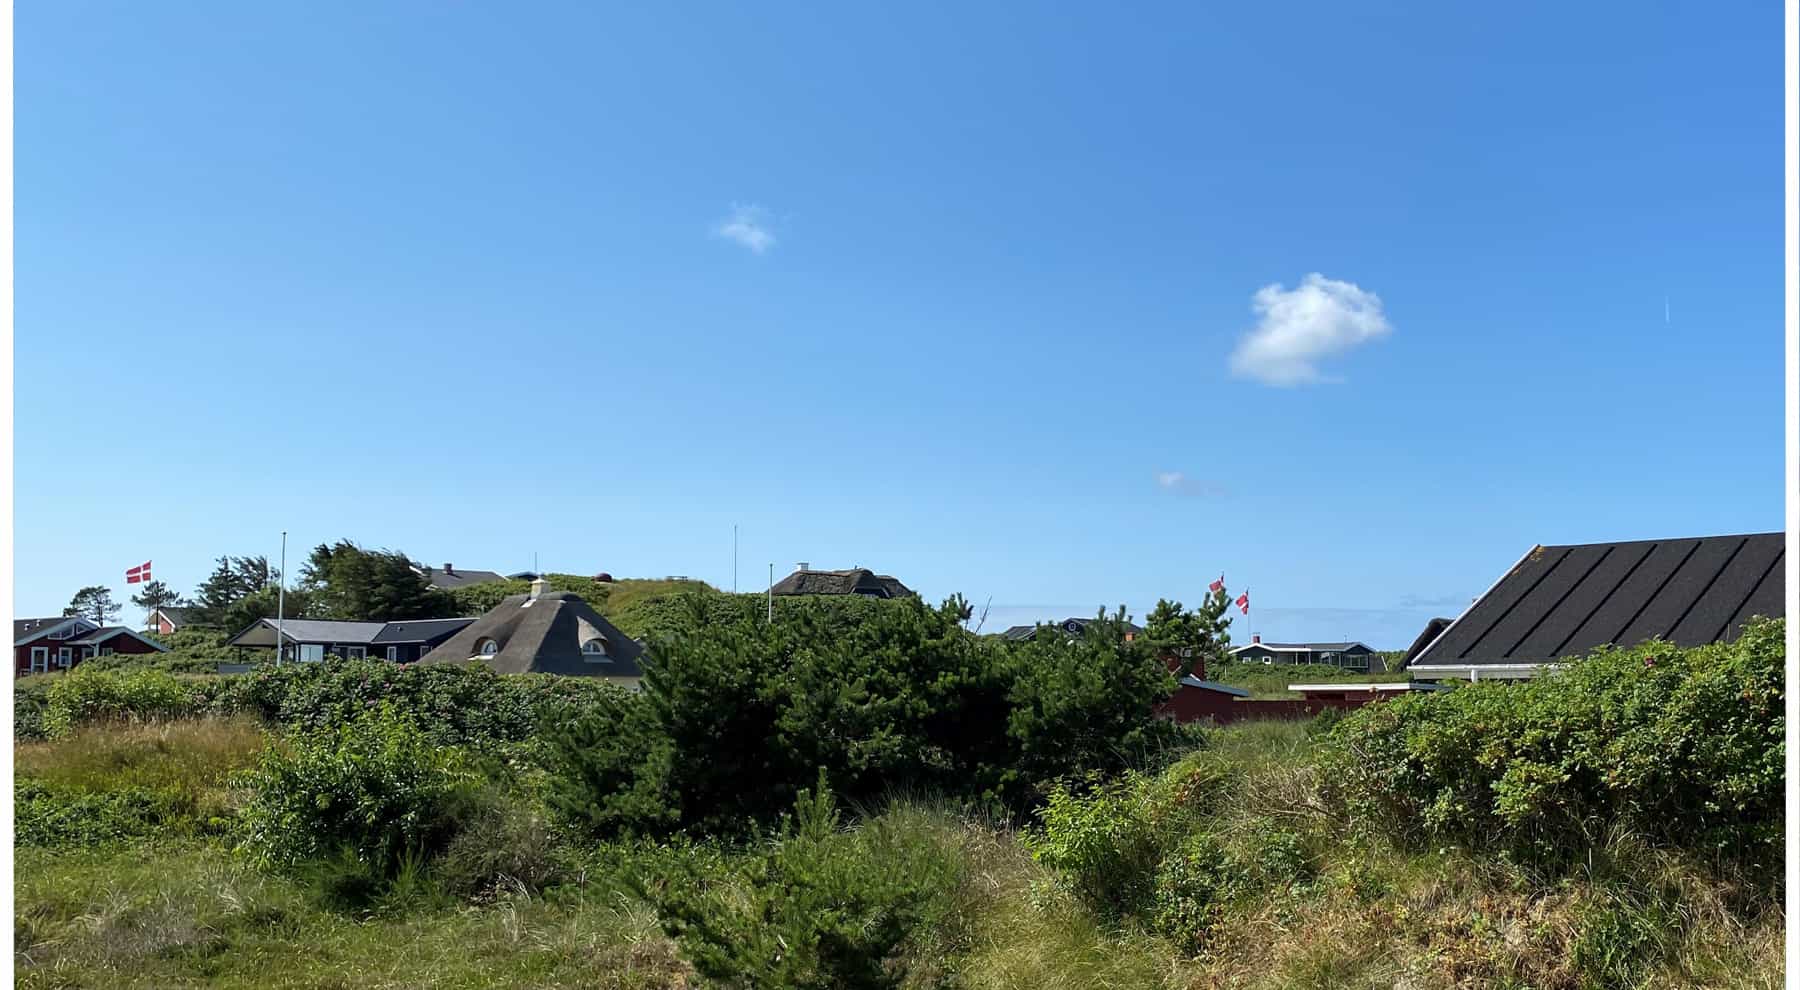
{"points": [[1682, 746]]}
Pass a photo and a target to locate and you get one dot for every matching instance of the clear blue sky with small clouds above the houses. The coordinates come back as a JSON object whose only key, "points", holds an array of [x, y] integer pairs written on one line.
{"points": [[975, 298]]}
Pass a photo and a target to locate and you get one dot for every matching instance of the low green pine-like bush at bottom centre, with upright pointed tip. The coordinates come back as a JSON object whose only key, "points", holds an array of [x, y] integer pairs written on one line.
{"points": [[818, 908]]}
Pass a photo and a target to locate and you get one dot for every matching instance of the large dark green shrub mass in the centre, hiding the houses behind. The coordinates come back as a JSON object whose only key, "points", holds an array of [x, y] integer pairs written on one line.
{"points": [[885, 696]]}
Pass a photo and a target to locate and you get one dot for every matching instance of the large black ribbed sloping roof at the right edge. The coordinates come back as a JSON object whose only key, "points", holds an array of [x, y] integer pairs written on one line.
{"points": [[1565, 602]]}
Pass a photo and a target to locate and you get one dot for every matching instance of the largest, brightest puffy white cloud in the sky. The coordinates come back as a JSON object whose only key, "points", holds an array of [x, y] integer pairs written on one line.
{"points": [[1295, 328]]}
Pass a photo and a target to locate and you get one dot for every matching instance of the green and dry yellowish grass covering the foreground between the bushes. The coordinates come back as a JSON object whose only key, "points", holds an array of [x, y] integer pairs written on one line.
{"points": [[179, 908]]}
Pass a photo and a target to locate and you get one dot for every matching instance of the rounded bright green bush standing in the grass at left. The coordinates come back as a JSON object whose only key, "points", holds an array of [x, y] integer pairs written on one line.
{"points": [[375, 786]]}
